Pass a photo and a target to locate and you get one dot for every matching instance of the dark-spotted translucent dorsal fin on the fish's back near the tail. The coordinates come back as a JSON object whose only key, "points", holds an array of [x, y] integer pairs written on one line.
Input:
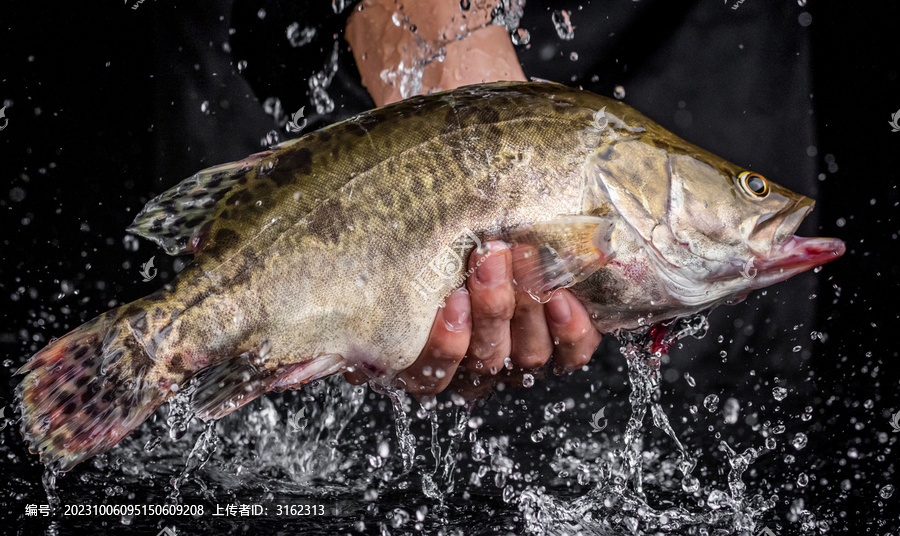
{"points": [[176, 219]]}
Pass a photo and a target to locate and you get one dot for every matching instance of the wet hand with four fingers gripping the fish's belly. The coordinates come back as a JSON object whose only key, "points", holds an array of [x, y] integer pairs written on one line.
{"points": [[490, 319]]}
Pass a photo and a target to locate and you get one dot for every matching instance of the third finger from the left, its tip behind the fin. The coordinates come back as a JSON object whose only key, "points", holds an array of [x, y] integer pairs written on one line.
{"points": [[531, 342]]}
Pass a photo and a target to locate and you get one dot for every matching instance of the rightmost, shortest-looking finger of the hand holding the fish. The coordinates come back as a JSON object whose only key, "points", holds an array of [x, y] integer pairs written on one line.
{"points": [[574, 337]]}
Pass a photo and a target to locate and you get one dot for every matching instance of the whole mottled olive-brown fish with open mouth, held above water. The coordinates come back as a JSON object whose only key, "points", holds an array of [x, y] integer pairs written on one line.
{"points": [[333, 251]]}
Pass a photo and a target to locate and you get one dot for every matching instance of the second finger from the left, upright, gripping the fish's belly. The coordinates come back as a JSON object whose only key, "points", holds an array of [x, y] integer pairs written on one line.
{"points": [[493, 304]]}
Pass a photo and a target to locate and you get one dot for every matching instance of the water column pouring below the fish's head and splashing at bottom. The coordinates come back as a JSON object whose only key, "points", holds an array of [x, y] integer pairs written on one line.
{"points": [[619, 499]]}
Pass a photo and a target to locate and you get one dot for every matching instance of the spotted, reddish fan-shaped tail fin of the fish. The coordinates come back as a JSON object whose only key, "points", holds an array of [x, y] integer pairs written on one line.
{"points": [[84, 392]]}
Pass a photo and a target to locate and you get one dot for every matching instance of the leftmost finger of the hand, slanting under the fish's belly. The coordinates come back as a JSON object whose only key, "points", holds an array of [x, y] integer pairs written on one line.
{"points": [[446, 346]]}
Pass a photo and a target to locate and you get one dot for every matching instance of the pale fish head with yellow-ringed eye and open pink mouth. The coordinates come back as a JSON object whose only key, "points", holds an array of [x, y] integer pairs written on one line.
{"points": [[712, 230]]}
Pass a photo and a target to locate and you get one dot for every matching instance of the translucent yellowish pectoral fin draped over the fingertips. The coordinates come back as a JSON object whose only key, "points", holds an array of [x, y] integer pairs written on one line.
{"points": [[559, 253]]}
